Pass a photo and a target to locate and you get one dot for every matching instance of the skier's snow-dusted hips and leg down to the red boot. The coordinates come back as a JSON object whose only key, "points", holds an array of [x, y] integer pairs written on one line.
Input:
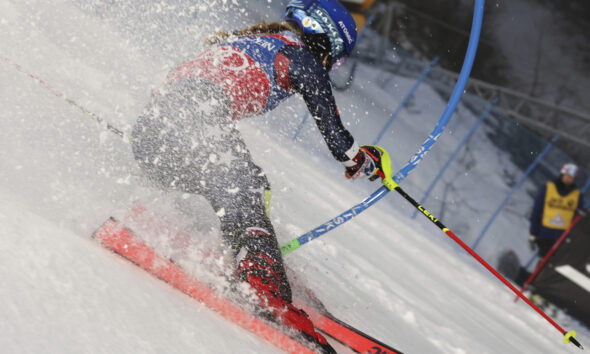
{"points": [[193, 146]]}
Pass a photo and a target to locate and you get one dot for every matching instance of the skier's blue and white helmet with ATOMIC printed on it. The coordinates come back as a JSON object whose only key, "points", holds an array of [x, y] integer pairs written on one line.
{"points": [[325, 16]]}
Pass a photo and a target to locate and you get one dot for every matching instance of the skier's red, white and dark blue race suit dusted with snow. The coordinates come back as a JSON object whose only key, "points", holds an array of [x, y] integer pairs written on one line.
{"points": [[186, 138]]}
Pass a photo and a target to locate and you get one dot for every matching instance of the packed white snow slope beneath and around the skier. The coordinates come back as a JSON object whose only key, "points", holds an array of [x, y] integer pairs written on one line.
{"points": [[62, 175]]}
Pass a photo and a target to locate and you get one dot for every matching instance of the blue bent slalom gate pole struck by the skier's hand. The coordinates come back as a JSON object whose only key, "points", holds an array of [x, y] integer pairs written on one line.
{"points": [[297, 242]]}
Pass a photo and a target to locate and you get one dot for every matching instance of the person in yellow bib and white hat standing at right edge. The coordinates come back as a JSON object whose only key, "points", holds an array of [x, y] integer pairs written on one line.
{"points": [[555, 206]]}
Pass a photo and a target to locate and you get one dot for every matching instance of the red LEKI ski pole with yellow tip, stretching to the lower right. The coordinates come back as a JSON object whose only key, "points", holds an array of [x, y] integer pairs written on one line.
{"points": [[568, 336]]}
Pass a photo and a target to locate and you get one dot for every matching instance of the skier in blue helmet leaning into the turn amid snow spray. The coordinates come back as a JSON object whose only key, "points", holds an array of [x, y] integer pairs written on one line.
{"points": [[187, 140]]}
